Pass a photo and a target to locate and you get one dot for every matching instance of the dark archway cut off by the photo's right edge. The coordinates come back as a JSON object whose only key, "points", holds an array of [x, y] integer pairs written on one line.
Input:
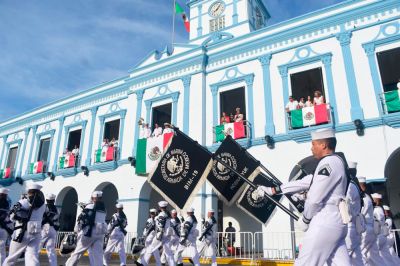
{"points": [[392, 173]]}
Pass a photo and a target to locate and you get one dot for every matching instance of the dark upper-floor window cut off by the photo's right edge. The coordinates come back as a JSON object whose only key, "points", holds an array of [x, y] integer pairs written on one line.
{"points": [[389, 67]]}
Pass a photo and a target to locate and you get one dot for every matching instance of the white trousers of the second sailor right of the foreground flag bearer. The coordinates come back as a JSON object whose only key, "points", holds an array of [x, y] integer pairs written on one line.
{"points": [[369, 248]]}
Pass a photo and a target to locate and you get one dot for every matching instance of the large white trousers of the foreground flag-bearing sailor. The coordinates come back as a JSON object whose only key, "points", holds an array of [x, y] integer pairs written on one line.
{"points": [[324, 241]]}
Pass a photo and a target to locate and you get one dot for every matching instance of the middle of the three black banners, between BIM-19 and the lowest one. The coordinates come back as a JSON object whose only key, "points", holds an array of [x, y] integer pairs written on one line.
{"points": [[226, 184]]}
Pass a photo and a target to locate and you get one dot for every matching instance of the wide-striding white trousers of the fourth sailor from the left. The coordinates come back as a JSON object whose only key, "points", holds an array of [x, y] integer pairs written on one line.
{"points": [[94, 245]]}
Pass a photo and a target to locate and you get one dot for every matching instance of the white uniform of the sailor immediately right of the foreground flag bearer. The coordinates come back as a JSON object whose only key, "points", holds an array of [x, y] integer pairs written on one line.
{"points": [[353, 238]]}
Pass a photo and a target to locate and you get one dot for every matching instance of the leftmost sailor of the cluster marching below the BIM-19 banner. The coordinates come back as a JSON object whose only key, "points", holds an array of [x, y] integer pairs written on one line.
{"points": [[149, 234]]}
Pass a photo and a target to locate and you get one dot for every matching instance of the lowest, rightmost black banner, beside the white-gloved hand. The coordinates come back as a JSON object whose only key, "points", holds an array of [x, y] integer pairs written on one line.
{"points": [[262, 208]]}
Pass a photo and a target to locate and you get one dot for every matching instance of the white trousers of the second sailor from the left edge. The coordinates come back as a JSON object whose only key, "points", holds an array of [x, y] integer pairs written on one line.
{"points": [[30, 245]]}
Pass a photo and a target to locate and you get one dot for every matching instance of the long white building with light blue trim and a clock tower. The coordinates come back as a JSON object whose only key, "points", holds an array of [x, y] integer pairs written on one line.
{"points": [[234, 58]]}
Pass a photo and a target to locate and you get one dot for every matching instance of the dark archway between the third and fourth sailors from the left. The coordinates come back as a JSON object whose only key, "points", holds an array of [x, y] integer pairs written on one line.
{"points": [[67, 201]]}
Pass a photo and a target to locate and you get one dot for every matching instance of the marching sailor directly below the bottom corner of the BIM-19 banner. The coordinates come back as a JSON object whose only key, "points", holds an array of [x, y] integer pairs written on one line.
{"points": [[188, 237]]}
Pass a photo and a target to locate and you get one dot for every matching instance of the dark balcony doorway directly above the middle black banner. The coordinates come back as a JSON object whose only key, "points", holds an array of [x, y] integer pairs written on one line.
{"points": [[230, 100]]}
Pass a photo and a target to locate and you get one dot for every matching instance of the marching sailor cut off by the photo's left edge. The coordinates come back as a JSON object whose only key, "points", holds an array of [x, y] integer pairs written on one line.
{"points": [[6, 226]]}
